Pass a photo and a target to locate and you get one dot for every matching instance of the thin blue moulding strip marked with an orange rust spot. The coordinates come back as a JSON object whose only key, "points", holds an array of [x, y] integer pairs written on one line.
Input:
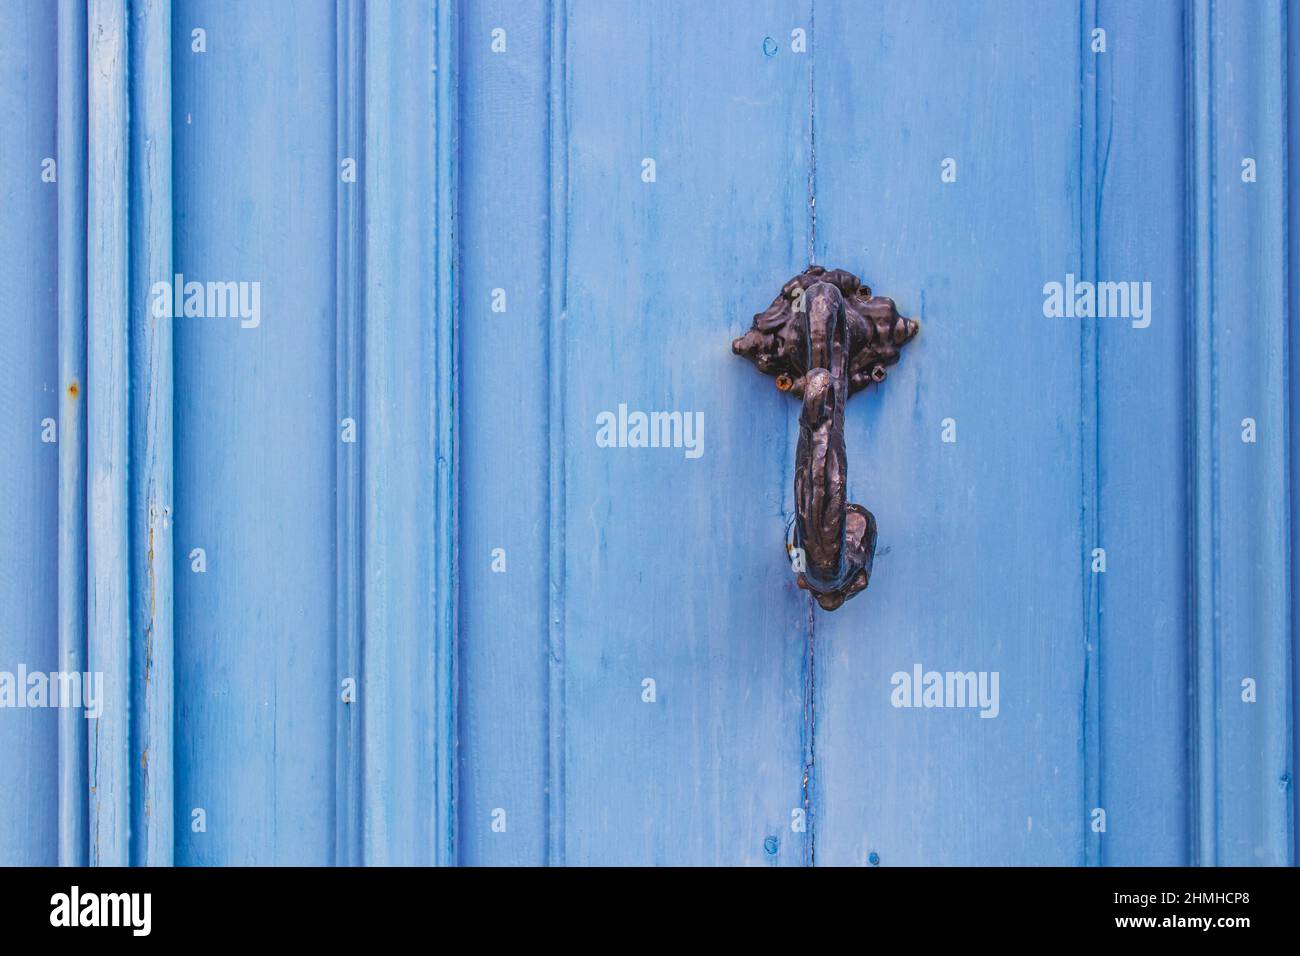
{"points": [[72, 423]]}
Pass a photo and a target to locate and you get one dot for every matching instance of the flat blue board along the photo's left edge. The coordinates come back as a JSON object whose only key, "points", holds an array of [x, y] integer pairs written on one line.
{"points": [[32, 785]]}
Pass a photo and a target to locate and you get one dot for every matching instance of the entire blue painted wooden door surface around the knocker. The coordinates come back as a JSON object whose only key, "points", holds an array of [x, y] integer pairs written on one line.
{"points": [[365, 583]]}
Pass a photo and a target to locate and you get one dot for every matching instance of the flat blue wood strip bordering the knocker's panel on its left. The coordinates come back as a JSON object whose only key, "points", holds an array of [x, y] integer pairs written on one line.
{"points": [[504, 236]]}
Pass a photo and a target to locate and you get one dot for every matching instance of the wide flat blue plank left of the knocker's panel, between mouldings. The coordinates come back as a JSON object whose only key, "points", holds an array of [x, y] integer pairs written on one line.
{"points": [[254, 192]]}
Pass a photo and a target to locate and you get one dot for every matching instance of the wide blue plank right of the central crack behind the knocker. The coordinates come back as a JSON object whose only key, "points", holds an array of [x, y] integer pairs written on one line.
{"points": [[981, 556]]}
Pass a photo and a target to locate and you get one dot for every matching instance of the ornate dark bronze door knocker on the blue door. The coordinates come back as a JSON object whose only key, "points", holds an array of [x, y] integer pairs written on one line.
{"points": [[825, 339]]}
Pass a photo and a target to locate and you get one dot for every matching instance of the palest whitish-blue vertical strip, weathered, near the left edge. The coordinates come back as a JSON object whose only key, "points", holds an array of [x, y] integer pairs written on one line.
{"points": [[109, 609]]}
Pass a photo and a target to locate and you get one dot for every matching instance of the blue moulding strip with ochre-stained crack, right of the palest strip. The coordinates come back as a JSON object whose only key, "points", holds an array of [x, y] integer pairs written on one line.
{"points": [[150, 231]]}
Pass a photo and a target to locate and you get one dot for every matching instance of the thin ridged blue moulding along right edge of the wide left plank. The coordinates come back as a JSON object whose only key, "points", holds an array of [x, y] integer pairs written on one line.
{"points": [[348, 469]]}
